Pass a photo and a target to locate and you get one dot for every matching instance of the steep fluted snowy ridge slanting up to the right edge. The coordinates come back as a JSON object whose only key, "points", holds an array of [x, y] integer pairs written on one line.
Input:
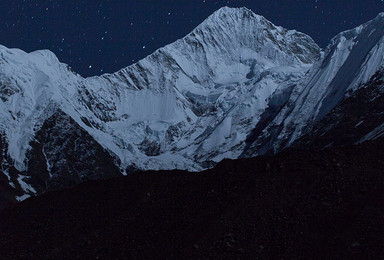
{"points": [[350, 60]]}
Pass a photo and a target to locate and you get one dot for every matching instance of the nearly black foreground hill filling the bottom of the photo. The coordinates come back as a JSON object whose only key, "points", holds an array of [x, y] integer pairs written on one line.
{"points": [[298, 204]]}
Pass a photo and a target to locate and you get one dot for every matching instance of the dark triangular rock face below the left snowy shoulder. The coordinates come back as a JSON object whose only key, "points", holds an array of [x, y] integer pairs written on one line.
{"points": [[63, 154]]}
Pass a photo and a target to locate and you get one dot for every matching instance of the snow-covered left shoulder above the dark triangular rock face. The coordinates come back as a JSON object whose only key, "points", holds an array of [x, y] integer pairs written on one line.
{"points": [[30, 86]]}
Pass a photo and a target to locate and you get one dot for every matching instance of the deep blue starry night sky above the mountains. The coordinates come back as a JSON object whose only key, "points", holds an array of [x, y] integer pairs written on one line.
{"points": [[100, 36]]}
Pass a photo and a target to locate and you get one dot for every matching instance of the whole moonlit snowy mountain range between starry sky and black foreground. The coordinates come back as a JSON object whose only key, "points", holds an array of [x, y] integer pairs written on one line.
{"points": [[236, 86]]}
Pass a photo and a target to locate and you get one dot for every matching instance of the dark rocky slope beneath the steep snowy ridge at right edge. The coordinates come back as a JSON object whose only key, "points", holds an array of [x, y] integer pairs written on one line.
{"points": [[356, 119]]}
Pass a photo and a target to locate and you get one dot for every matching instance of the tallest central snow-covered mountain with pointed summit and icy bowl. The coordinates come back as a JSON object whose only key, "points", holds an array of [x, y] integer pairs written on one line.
{"points": [[196, 99]]}
